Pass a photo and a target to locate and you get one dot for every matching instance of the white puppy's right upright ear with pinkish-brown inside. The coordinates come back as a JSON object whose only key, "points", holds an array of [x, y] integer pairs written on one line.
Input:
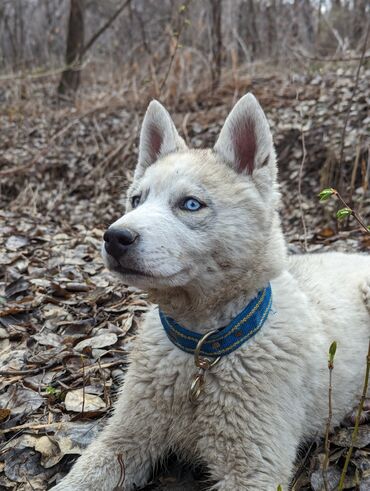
{"points": [[245, 141]]}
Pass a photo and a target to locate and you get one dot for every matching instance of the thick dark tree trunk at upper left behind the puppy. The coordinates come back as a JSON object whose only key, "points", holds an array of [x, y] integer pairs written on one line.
{"points": [[71, 76]]}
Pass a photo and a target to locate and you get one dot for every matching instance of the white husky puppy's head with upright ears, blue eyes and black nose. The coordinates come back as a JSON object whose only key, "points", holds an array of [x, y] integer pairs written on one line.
{"points": [[205, 216]]}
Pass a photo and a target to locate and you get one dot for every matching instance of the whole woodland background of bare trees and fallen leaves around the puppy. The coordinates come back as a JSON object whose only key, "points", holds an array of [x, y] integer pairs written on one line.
{"points": [[75, 79]]}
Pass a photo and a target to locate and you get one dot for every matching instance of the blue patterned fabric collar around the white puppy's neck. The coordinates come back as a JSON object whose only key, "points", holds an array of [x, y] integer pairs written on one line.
{"points": [[229, 338]]}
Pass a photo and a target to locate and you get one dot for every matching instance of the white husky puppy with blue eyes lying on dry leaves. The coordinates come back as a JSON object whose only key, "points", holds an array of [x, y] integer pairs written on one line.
{"points": [[203, 236]]}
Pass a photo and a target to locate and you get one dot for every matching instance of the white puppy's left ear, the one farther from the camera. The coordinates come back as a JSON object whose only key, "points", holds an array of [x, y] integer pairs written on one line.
{"points": [[158, 137]]}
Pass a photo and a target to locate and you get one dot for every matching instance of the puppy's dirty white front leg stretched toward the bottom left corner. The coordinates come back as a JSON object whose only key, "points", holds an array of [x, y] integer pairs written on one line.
{"points": [[125, 451]]}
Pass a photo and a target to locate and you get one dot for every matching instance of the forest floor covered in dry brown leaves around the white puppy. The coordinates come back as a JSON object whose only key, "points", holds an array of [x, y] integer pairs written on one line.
{"points": [[66, 325]]}
